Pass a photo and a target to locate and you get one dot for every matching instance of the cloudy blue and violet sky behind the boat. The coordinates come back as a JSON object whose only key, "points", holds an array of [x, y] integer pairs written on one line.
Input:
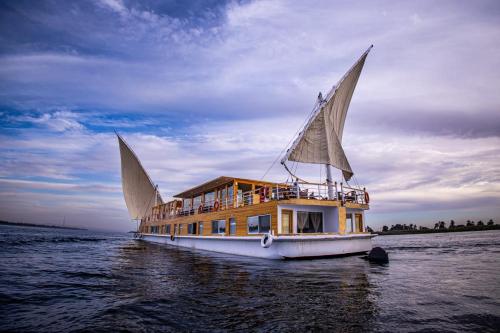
{"points": [[201, 89]]}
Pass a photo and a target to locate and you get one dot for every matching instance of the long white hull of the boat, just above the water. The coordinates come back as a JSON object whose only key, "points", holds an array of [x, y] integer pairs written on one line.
{"points": [[282, 247]]}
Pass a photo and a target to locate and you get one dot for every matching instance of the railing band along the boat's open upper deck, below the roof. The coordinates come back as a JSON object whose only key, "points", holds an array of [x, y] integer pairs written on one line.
{"points": [[297, 190]]}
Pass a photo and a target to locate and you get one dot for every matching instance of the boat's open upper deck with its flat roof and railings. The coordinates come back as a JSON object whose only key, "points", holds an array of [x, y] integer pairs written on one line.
{"points": [[224, 193]]}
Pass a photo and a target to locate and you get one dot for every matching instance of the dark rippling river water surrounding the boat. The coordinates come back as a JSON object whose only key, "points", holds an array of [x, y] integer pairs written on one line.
{"points": [[70, 281]]}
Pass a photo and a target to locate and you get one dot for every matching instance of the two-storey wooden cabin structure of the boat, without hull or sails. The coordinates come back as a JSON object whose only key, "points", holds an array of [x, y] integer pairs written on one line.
{"points": [[228, 206]]}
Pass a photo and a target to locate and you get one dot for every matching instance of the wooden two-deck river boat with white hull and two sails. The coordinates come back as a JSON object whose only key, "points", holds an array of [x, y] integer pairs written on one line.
{"points": [[293, 219]]}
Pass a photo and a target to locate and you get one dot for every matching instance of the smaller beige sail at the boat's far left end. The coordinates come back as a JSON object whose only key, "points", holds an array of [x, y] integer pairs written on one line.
{"points": [[138, 189]]}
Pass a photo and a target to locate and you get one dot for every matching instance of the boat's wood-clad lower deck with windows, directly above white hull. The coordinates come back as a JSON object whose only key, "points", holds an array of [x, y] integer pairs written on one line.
{"points": [[293, 217]]}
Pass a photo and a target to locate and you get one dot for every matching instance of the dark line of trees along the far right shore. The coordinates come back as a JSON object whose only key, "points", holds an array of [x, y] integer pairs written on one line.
{"points": [[440, 226]]}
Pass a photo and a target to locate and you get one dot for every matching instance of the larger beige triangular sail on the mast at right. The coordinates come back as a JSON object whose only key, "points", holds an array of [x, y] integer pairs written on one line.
{"points": [[321, 140]]}
